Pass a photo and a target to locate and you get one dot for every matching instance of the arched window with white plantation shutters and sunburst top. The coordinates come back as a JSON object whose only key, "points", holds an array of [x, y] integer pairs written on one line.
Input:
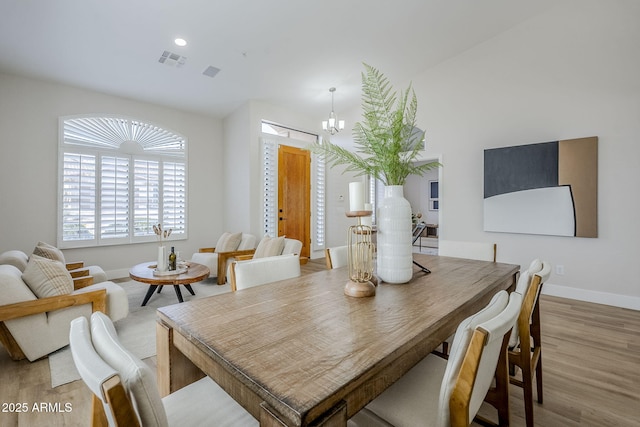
{"points": [[117, 178]]}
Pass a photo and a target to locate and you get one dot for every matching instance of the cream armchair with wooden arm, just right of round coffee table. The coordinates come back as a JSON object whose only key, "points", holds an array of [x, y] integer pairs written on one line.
{"points": [[228, 247]]}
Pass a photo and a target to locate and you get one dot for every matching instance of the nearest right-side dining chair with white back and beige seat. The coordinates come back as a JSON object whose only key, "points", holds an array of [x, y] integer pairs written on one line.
{"points": [[439, 392]]}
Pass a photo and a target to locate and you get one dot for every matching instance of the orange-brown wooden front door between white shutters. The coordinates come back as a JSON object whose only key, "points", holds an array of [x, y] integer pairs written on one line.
{"points": [[294, 195]]}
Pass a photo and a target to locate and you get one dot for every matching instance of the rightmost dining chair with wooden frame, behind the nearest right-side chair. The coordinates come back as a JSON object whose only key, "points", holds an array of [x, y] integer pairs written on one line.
{"points": [[525, 345]]}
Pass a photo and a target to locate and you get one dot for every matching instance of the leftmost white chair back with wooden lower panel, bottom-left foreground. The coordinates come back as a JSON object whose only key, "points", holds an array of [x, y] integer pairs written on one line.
{"points": [[110, 396]]}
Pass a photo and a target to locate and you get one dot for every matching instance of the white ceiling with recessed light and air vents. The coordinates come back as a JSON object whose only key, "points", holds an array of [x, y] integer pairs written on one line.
{"points": [[283, 52]]}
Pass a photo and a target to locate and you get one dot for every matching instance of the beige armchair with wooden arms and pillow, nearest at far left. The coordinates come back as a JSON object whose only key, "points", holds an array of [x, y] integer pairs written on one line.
{"points": [[37, 306]]}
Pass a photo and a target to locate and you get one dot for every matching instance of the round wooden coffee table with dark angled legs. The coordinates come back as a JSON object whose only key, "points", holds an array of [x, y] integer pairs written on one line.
{"points": [[144, 273]]}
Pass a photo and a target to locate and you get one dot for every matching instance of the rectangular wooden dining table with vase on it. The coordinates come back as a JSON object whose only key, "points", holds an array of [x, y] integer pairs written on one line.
{"points": [[300, 352]]}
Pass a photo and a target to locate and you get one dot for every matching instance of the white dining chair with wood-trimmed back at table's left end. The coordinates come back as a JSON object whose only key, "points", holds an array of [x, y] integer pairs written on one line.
{"points": [[125, 391]]}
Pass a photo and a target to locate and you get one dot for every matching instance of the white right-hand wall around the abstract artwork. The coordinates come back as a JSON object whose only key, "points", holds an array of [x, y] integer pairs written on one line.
{"points": [[569, 73]]}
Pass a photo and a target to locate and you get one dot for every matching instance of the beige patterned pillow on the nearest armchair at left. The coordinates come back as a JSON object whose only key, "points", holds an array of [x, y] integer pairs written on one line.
{"points": [[47, 278]]}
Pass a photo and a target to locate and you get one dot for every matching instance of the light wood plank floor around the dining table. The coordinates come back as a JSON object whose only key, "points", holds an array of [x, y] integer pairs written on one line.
{"points": [[591, 364]]}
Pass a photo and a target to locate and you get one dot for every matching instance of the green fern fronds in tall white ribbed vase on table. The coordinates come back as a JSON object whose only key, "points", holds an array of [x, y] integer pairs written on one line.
{"points": [[387, 146]]}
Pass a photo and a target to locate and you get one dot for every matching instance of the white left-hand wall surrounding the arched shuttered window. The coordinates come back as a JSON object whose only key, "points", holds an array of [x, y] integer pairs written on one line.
{"points": [[29, 112]]}
